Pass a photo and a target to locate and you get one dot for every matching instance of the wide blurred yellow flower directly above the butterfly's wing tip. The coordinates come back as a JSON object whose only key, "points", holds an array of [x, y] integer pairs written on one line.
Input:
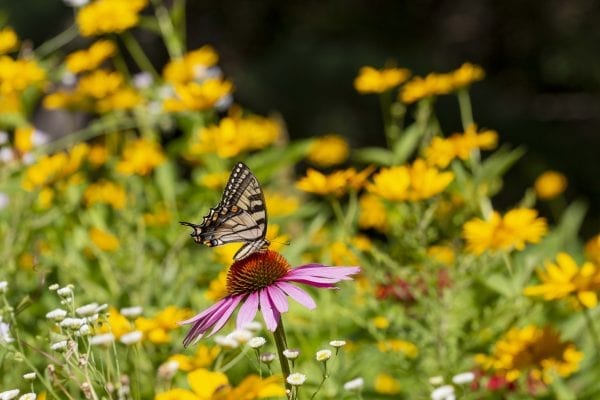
{"points": [[233, 136]]}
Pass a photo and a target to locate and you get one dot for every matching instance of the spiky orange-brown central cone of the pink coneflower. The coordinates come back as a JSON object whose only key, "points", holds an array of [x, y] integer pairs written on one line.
{"points": [[256, 271]]}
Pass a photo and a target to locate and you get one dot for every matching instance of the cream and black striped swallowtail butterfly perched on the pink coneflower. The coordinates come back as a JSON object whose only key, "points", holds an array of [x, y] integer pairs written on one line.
{"points": [[240, 216]]}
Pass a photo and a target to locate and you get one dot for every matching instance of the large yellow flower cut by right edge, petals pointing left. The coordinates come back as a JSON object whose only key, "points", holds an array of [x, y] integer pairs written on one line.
{"points": [[566, 278]]}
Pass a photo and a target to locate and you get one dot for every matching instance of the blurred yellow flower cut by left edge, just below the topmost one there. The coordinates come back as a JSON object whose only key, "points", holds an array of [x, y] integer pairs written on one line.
{"points": [[18, 75]]}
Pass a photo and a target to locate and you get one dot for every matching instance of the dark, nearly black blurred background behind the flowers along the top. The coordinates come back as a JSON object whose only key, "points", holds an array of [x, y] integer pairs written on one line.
{"points": [[298, 59]]}
